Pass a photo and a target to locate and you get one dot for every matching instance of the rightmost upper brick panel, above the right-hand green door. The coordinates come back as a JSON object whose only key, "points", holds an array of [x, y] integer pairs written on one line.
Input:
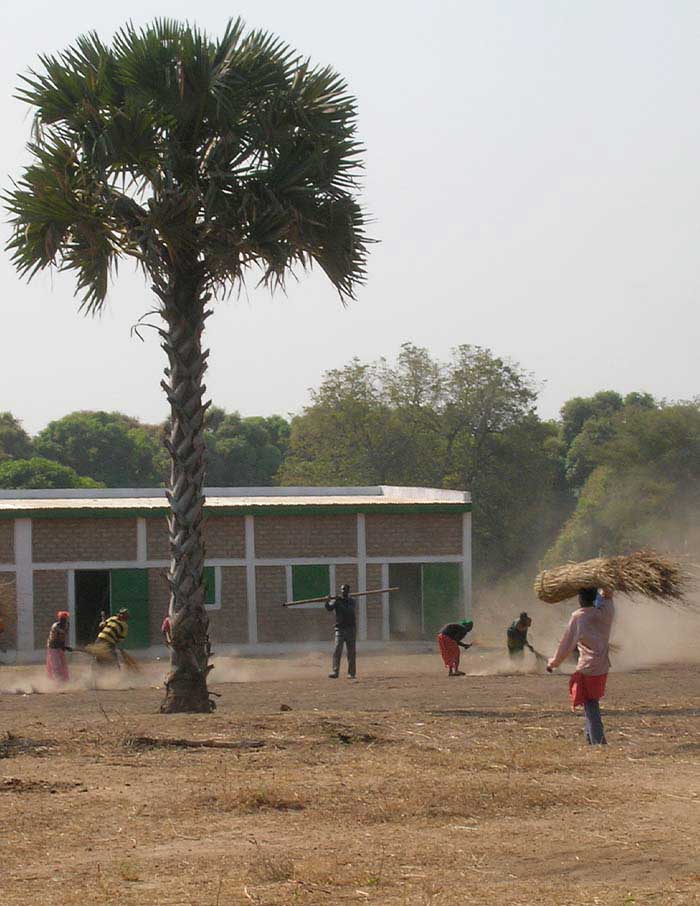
{"points": [[413, 535]]}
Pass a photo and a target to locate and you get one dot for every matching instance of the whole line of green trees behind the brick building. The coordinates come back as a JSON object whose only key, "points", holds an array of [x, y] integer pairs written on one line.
{"points": [[612, 473]]}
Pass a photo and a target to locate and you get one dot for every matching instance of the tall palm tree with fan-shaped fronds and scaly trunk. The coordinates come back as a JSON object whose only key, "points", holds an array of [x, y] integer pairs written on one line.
{"points": [[198, 159]]}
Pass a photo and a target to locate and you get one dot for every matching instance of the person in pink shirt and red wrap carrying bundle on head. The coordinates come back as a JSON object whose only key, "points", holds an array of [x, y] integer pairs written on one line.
{"points": [[589, 631]]}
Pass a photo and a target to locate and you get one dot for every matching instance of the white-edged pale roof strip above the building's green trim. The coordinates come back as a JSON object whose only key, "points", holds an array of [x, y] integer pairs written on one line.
{"points": [[387, 491]]}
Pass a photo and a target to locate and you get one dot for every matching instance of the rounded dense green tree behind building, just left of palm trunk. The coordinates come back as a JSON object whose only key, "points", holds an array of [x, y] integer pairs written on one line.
{"points": [[114, 449]]}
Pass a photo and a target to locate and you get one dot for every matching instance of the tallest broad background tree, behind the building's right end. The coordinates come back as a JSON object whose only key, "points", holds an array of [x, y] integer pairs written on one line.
{"points": [[466, 423]]}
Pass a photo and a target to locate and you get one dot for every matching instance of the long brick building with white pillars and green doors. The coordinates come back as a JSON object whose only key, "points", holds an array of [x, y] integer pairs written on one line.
{"points": [[89, 551]]}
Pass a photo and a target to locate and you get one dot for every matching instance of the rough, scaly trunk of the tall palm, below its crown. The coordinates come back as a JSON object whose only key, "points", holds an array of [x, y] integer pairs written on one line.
{"points": [[184, 314]]}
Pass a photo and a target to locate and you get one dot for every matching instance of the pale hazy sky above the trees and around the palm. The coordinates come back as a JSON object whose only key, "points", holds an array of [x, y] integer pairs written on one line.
{"points": [[532, 170]]}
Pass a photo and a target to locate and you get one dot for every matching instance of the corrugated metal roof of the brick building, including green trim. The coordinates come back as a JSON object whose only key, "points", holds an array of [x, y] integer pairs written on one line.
{"points": [[123, 501]]}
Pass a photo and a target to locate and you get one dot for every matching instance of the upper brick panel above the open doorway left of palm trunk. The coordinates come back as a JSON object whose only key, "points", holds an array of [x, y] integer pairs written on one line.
{"points": [[65, 540]]}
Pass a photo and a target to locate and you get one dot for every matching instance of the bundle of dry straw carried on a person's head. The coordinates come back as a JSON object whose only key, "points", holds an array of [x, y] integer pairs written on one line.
{"points": [[642, 573]]}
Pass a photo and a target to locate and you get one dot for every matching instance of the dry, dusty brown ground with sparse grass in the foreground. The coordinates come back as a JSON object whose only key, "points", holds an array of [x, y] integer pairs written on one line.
{"points": [[401, 788]]}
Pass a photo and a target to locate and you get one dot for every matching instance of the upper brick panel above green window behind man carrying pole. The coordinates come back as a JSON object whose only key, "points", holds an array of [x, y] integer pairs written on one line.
{"points": [[305, 536]]}
